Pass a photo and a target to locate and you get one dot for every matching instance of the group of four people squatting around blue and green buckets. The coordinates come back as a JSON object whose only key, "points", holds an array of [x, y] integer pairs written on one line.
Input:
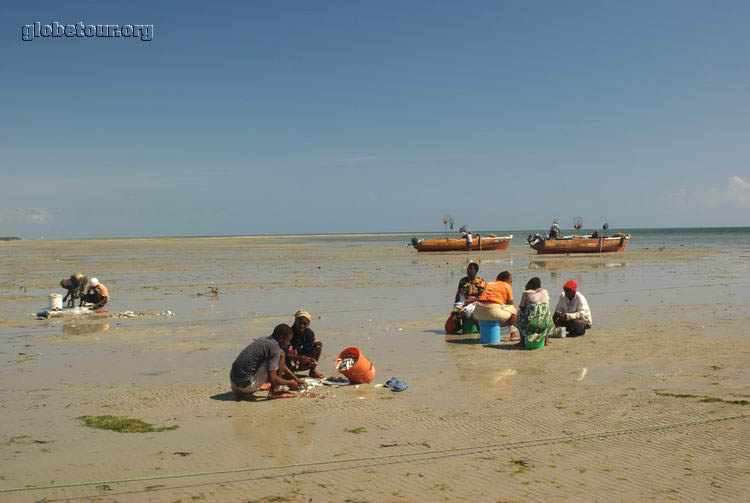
{"points": [[477, 300]]}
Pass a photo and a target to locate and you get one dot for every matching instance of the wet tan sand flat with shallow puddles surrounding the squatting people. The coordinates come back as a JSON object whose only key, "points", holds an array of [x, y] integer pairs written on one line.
{"points": [[478, 423]]}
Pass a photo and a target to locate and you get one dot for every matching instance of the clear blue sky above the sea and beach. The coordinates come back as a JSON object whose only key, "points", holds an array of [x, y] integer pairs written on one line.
{"points": [[258, 117]]}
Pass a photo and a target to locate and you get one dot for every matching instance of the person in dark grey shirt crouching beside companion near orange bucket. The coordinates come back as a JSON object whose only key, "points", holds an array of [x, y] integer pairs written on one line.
{"points": [[263, 362]]}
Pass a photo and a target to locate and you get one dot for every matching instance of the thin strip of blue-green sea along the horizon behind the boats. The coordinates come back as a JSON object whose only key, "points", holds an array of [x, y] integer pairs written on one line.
{"points": [[721, 238]]}
